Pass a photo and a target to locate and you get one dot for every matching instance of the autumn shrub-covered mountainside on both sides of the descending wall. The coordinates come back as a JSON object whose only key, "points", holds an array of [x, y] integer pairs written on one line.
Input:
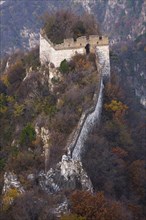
{"points": [[34, 110]]}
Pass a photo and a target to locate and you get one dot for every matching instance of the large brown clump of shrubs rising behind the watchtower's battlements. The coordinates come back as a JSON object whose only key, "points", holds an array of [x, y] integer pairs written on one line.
{"points": [[65, 24]]}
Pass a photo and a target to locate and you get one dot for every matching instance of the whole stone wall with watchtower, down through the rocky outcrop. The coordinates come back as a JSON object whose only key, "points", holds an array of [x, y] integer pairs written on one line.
{"points": [[70, 169]]}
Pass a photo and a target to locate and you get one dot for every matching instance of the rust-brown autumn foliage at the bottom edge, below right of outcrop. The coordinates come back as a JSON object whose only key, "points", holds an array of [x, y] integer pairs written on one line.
{"points": [[97, 207]]}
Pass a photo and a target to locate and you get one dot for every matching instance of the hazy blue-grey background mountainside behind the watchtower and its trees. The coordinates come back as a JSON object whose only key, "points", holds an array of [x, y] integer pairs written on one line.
{"points": [[20, 20]]}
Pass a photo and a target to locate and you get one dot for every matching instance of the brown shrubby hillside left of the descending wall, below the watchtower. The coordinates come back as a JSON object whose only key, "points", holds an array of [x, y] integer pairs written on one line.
{"points": [[35, 111]]}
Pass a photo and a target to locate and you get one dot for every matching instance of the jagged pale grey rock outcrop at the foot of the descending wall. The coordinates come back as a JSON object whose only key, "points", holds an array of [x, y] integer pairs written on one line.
{"points": [[67, 175]]}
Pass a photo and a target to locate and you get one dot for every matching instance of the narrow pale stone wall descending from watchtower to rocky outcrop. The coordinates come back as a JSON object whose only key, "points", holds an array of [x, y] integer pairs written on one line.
{"points": [[91, 116]]}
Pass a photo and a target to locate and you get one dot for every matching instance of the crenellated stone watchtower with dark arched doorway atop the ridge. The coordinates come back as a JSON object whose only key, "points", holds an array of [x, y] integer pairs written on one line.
{"points": [[56, 53]]}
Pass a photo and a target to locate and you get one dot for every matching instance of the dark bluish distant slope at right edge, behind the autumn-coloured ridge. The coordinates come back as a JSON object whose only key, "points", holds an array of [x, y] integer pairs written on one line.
{"points": [[130, 63]]}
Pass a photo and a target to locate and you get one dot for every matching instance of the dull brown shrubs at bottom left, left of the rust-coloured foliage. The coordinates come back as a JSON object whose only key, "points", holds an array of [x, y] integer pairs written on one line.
{"points": [[32, 205]]}
